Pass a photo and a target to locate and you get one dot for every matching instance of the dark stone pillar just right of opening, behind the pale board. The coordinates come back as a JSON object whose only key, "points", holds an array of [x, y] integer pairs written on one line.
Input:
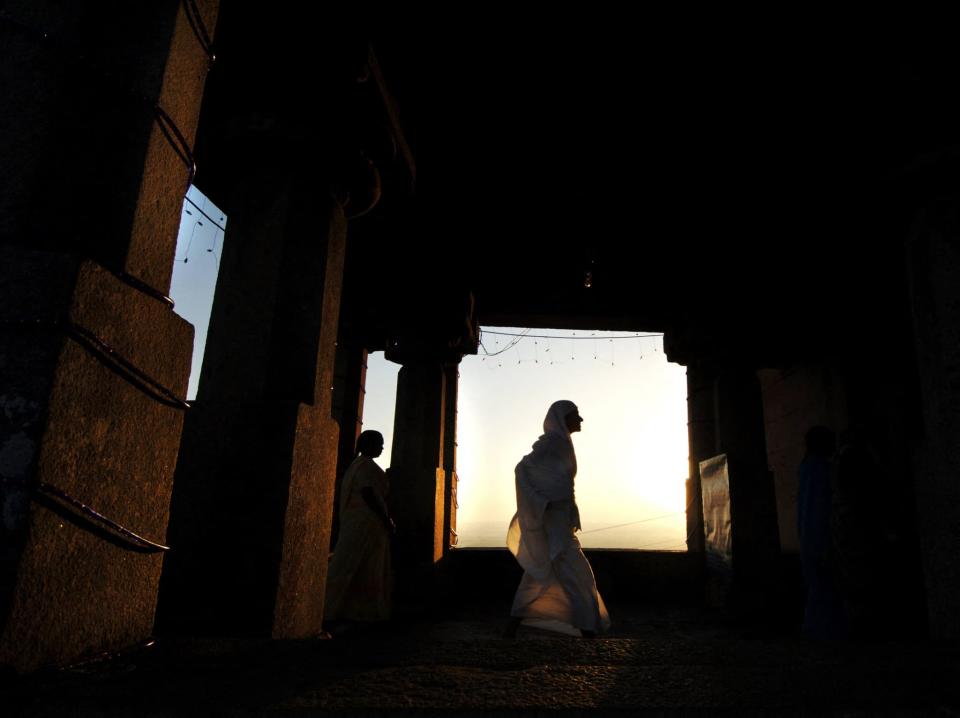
{"points": [[740, 434]]}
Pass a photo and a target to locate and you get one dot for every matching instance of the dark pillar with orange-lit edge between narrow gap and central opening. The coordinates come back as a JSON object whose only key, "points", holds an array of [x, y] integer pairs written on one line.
{"points": [[417, 475]]}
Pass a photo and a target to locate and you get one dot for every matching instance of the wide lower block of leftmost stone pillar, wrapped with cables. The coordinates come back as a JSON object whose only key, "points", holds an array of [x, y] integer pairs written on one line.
{"points": [[106, 443]]}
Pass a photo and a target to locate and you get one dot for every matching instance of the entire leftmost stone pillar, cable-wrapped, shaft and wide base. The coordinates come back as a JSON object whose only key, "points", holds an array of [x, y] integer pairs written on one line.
{"points": [[96, 148]]}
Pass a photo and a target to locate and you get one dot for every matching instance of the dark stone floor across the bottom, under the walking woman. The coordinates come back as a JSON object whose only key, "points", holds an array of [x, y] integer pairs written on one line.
{"points": [[657, 661]]}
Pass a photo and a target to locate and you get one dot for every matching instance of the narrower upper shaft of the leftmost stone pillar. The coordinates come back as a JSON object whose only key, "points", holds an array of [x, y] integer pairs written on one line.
{"points": [[82, 131]]}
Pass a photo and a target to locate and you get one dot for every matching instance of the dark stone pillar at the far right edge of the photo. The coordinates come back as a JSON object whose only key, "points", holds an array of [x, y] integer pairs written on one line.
{"points": [[934, 253]]}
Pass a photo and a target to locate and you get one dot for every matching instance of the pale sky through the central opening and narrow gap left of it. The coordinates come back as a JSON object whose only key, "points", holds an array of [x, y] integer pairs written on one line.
{"points": [[631, 454]]}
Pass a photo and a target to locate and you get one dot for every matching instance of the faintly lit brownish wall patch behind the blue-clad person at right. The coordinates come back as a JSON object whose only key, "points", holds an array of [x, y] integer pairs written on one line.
{"points": [[794, 400]]}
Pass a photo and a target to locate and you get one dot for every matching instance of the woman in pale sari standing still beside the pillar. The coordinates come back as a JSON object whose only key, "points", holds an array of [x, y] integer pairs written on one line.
{"points": [[359, 578]]}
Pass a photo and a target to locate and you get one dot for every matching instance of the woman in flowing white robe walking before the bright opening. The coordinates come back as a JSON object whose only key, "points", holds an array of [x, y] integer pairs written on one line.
{"points": [[558, 590]]}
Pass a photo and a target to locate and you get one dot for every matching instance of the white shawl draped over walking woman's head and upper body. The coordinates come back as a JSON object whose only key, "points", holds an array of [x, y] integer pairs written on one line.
{"points": [[544, 477]]}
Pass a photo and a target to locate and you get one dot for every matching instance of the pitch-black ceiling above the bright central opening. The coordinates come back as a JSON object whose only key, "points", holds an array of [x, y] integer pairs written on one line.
{"points": [[702, 168]]}
